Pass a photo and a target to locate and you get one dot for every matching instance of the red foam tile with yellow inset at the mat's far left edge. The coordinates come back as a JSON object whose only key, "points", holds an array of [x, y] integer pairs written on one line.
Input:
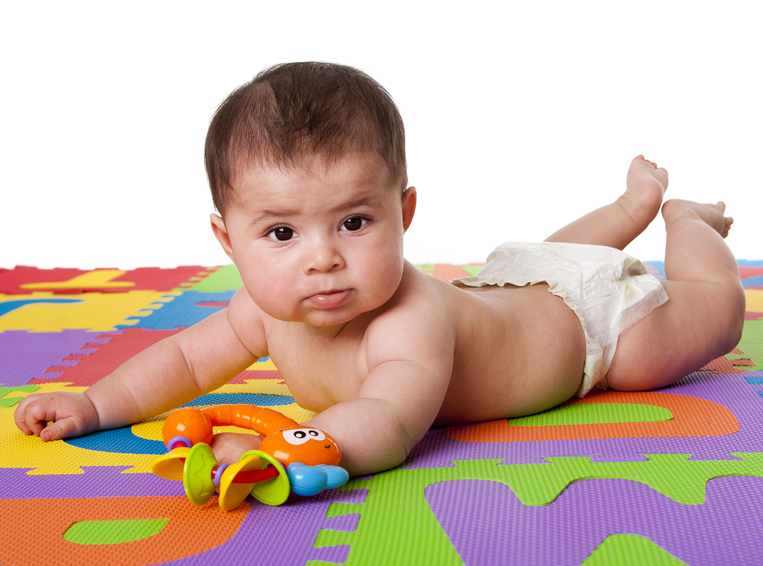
{"points": [[25, 280]]}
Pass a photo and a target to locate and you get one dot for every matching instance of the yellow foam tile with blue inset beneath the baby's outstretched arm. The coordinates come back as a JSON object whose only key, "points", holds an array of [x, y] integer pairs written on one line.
{"points": [[68, 456]]}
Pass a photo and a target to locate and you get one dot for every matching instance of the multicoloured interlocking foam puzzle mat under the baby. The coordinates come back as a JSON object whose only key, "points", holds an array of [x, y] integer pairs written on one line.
{"points": [[665, 477]]}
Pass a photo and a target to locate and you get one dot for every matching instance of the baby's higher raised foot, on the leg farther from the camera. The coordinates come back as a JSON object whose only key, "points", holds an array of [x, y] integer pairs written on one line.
{"points": [[646, 185]]}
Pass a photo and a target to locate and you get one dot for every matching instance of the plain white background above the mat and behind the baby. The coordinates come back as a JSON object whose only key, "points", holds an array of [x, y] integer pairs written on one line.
{"points": [[520, 116]]}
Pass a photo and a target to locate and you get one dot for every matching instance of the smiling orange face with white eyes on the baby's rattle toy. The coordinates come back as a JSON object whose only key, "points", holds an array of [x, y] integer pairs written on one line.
{"points": [[309, 446]]}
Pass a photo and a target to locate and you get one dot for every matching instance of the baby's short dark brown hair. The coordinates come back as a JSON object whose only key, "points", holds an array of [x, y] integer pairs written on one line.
{"points": [[294, 111]]}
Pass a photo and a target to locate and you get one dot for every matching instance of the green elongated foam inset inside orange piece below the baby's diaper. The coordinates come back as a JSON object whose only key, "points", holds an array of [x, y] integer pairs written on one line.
{"points": [[596, 413]]}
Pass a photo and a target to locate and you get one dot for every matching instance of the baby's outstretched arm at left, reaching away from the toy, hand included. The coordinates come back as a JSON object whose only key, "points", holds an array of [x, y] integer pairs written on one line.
{"points": [[165, 375]]}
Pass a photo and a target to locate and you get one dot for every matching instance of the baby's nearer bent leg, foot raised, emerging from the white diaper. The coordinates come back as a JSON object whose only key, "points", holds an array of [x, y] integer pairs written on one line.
{"points": [[704, 316]]}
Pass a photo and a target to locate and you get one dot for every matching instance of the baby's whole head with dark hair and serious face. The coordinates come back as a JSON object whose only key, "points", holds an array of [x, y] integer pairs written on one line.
{"points": [[307, 168]]}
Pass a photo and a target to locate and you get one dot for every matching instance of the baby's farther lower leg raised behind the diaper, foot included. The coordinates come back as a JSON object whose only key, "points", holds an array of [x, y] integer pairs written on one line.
{"points": [[617, 224]]}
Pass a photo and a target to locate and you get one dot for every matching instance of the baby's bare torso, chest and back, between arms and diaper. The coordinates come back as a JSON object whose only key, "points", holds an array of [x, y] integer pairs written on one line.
{"points": [[518, 350]]}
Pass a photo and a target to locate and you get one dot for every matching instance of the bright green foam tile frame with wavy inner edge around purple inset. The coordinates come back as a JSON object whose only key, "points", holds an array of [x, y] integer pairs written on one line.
{"points": [[397, 523]]}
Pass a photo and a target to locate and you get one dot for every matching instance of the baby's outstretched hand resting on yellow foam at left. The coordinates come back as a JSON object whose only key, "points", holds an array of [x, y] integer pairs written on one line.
{"points": [[72, 414]]}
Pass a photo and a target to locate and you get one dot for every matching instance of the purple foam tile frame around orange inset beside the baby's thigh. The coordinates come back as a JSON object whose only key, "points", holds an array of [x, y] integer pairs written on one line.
{"points": [[734, 392]]}
